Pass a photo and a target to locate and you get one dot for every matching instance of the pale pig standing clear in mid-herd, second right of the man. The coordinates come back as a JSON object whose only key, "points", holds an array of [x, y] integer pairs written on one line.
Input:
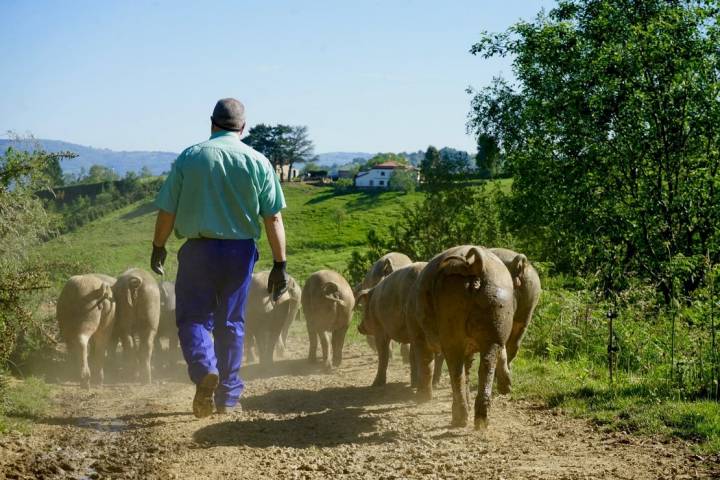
{"points": [[327, 302]]}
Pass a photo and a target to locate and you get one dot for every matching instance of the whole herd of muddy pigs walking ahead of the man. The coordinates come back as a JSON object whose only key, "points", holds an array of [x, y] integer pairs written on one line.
{"points": [[464, 301]]}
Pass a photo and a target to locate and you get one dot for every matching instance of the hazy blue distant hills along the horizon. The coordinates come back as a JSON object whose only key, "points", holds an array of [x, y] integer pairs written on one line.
{"points": [[122, 161]]}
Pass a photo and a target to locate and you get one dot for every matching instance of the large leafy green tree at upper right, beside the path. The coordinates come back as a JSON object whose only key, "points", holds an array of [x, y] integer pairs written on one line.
{"points": [[611, 134]]}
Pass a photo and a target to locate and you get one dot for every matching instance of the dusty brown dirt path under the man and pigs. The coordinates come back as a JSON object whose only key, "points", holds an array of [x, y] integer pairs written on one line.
{"points": [[301, 423]]}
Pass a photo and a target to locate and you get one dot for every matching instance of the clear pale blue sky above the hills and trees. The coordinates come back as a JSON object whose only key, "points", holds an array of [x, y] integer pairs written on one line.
{"points": [[363, 76]]}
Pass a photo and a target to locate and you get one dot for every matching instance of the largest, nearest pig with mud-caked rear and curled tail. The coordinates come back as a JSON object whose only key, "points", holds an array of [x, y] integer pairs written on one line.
{"points": [[463, 304]]}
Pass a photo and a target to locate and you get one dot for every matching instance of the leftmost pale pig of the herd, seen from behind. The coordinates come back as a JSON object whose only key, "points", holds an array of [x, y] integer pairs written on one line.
{"points": [[86, 314]]}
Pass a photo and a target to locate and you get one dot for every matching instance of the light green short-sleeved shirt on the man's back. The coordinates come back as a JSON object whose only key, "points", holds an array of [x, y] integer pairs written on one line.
{"points": [[219, 189]]}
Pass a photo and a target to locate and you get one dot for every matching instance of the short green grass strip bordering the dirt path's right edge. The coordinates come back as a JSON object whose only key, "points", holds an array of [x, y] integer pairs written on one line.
{"points": [[646, 406]]}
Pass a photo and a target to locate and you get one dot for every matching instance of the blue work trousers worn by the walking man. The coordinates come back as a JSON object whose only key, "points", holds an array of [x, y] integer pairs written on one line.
{"points": [[211, 290]]}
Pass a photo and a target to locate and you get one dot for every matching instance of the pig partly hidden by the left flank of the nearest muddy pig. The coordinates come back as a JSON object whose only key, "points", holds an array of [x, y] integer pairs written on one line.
{"points": [[384, 314]]}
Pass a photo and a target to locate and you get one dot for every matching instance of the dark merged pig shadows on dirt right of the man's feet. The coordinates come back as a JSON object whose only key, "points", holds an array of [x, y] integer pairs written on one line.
{"points": [[304, 418]]}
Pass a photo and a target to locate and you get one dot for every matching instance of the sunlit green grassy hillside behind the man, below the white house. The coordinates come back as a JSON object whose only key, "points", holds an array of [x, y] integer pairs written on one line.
{"points": [[322, 231]]}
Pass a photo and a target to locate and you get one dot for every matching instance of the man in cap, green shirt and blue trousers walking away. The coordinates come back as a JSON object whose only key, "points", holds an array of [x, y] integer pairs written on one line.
{"points": [[214, 196]]}
